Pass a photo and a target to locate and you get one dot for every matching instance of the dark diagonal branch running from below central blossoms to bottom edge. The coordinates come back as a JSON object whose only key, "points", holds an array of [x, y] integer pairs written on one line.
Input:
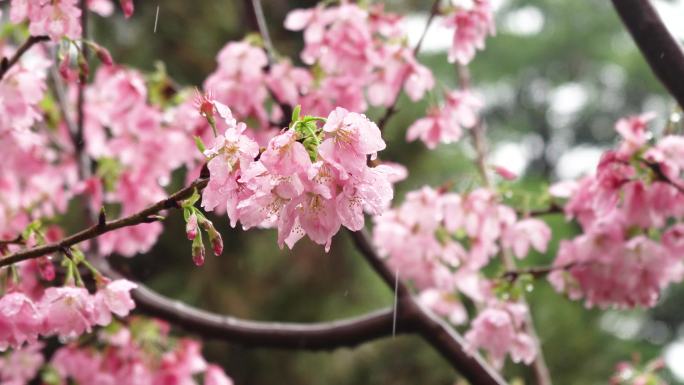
{"points": [[436, 331]]}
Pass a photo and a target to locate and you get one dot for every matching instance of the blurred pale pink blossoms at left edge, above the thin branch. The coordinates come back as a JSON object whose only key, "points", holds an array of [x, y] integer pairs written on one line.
{"points": [[36, 179]]}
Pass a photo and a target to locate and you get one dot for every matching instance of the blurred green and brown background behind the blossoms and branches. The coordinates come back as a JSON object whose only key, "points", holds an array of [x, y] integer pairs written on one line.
{"points": [[555, 78]]}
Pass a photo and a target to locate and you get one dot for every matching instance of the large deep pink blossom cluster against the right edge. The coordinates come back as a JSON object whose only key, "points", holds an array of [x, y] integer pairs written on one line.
{"points": [[631, 246]]}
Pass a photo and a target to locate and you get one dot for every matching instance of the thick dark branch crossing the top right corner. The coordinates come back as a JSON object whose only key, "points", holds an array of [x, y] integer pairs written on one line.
{"points": [[662, 52]]}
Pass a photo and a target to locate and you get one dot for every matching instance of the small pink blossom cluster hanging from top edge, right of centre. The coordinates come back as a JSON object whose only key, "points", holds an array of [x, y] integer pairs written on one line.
{"points": [[472, 21]]}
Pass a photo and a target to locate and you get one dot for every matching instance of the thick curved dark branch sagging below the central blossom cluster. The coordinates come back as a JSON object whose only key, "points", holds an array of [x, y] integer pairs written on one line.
{"points": [[313, 336]]}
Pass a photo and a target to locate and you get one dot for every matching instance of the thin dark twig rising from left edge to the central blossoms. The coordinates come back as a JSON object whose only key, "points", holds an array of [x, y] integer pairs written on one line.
{"points": [[98, 229]]}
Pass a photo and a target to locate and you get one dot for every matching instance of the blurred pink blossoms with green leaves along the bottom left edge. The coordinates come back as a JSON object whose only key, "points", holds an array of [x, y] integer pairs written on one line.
{"points": [[143, 354]]}
